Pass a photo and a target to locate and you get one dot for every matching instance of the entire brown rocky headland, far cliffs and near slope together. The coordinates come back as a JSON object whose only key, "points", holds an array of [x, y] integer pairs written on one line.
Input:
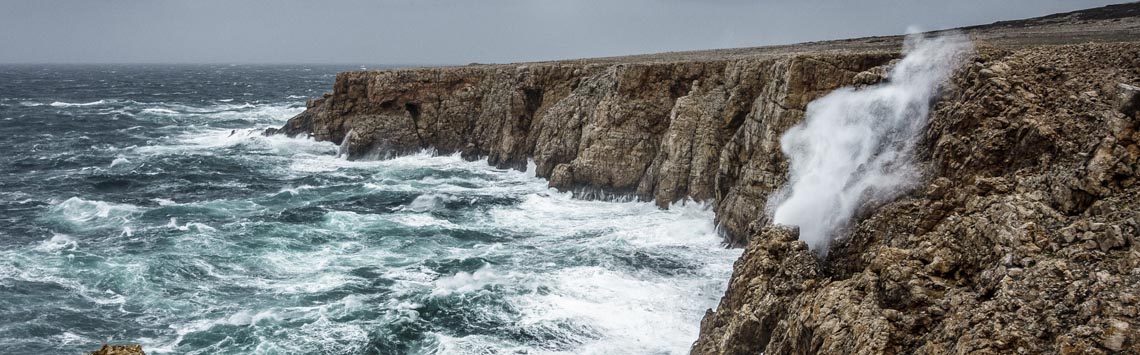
{"points": [[1023, 239]]}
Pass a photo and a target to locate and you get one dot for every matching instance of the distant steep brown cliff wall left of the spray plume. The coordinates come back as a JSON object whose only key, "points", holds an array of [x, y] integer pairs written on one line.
{"points": [[665, 132]]}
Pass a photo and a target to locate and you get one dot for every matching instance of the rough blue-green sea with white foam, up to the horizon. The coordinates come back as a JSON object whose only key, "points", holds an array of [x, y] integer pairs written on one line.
{"points": [[141, 205]]}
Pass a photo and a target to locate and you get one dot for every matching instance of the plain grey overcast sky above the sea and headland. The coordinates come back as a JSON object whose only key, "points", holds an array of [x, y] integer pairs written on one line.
{"points": [[457, 31]]}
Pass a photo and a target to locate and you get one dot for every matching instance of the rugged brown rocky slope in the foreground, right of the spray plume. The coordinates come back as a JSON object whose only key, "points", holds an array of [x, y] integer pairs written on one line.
{"points": [[1024, 241]]}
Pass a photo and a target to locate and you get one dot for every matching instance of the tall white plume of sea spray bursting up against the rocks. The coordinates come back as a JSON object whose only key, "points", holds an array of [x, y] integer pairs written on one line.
{"points": [[856, 147]]}
